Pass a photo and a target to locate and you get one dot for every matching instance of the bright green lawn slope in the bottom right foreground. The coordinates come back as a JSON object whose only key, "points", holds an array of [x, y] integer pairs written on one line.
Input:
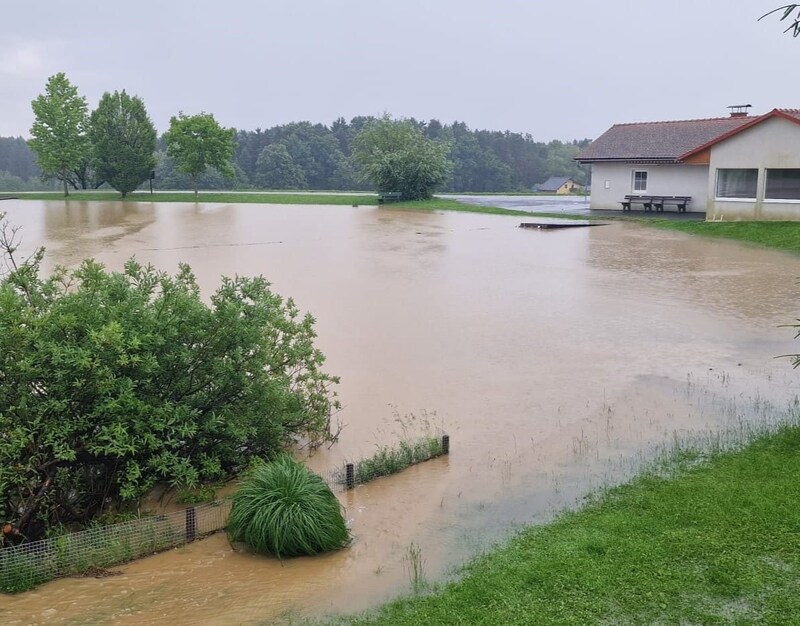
{"points": [[717, 542]]}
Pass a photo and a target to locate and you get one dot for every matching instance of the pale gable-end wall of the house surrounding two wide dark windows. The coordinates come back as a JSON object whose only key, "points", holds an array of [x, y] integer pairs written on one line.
{"points": [[774, 143]]}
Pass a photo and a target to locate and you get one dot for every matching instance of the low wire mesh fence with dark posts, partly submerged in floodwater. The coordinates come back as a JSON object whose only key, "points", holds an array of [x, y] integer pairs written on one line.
{"points": [[29, 564]]}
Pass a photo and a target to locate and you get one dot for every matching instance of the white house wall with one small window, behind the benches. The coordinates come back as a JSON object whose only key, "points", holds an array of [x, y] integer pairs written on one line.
{"points": [[611, 182]]}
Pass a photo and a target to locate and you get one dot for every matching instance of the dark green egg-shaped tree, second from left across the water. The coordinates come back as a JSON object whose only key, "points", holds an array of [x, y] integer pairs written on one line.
{"points": [[123, 141]]}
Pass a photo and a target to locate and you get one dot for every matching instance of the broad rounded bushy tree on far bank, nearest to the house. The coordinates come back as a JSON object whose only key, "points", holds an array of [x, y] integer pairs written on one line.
{"points": [[396, 156]]}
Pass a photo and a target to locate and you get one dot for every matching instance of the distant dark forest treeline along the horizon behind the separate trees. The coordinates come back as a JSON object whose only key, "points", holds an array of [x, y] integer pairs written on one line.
{"points": [[302, 155]]}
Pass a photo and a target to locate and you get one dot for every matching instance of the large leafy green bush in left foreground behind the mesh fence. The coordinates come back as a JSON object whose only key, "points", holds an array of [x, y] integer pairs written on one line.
{"points": [[111, 382]]}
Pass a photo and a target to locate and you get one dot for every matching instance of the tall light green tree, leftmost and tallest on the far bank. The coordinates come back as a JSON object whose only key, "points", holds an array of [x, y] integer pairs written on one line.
{"points": [[58, 134]]}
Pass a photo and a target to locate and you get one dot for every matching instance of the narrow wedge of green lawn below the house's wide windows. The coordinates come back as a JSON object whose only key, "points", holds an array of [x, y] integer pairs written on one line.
{"points": [[780, 235]]}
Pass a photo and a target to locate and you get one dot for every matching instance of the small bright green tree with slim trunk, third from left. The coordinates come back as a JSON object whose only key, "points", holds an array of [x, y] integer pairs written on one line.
{"points": [[198, 142]]}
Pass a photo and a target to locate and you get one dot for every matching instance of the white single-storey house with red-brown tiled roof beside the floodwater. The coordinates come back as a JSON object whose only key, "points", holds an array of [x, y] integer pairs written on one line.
{"points": [[734, 168]]}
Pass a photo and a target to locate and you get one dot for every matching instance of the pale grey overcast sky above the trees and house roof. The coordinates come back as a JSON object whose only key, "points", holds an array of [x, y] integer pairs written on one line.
{"points": [[556, 69]]}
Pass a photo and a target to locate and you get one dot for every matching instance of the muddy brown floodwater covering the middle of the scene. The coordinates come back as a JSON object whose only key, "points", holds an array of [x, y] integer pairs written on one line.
{"points": [[556, 360]]}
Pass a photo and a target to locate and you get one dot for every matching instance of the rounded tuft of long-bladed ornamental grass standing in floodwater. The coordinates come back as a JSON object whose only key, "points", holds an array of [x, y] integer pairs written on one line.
{"points": [[282, 508]]}
